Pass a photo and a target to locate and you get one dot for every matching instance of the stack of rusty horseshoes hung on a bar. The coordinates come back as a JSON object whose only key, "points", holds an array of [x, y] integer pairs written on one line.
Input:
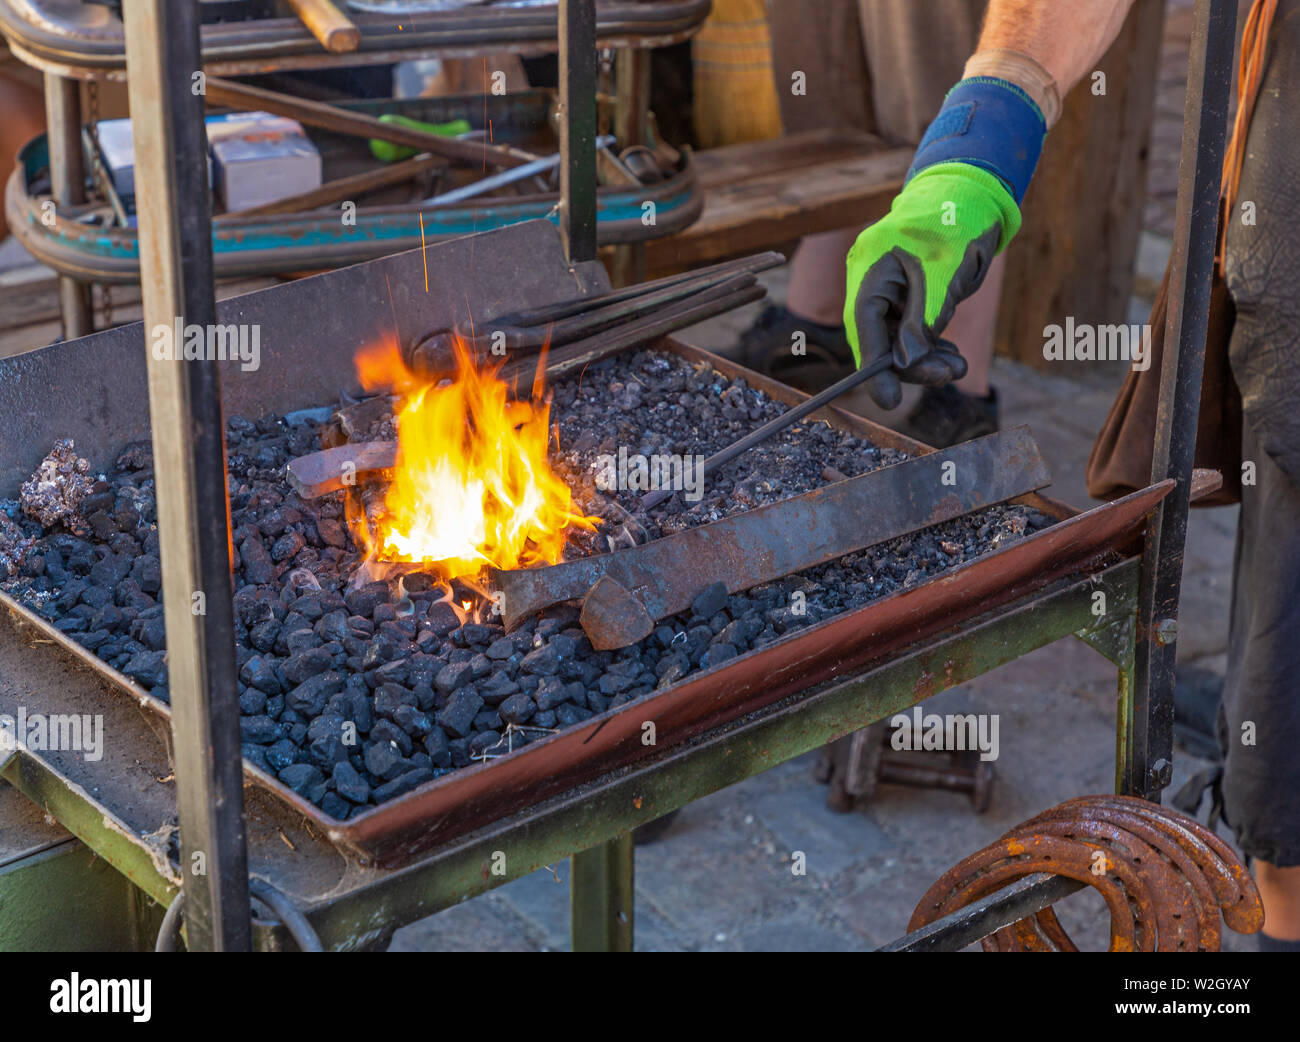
{"points": [[1165, 878]]}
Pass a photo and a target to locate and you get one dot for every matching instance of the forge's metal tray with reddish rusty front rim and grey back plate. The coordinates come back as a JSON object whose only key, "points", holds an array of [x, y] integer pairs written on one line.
{"points": [[94, 390]]}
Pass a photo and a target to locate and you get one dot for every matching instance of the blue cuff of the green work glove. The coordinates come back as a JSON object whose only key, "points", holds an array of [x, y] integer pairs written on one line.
{"points": [[991, 124]]}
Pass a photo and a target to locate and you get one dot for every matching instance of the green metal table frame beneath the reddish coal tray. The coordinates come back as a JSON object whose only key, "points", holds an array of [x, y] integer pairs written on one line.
{"points": [[595, 824]]}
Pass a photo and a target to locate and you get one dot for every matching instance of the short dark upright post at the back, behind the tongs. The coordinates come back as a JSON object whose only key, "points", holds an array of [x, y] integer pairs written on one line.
{"points": [[578, 63]]}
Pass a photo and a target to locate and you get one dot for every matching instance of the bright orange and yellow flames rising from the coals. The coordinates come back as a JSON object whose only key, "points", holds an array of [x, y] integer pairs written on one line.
{"points": [[474, 487]]}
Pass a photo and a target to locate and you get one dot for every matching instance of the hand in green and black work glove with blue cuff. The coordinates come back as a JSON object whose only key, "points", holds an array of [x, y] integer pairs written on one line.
{"points": [[959, 209]]}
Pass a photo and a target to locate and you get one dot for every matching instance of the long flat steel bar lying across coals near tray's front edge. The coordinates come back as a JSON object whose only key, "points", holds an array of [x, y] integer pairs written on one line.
{"points": [[782, 539]]}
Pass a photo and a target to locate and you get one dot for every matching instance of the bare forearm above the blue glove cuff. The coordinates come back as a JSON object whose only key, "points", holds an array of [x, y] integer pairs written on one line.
{"points": [[1068, 38]]}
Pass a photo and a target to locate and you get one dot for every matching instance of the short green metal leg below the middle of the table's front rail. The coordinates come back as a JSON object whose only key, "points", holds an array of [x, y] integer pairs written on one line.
{"points": [[601, 897]]}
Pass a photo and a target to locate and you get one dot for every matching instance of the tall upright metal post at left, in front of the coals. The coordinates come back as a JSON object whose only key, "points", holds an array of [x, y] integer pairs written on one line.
{"points": [[190, 467]]}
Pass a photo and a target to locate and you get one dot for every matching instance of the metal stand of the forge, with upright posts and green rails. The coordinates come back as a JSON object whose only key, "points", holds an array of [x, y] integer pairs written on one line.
{"points": [[593, 823]]}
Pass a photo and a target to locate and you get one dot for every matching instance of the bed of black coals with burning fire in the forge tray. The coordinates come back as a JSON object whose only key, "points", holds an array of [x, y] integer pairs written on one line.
{"points": [[366, 675]]}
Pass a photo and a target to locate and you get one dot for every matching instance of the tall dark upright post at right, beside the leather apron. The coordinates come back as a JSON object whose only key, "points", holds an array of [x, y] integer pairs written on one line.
{"points": [[1150, 765]]}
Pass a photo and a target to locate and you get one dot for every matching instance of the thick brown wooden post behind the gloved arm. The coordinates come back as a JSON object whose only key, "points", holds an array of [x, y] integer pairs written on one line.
{"points": [[1084, 212]]}
